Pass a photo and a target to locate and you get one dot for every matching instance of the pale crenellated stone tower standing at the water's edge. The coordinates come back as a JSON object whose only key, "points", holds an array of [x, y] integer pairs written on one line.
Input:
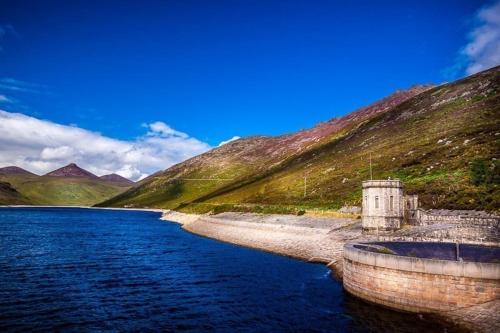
{"points": [[383, 205]]}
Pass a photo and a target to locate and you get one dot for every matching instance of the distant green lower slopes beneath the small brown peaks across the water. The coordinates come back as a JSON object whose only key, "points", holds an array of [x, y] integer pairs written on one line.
{"points": [[47, 190]]}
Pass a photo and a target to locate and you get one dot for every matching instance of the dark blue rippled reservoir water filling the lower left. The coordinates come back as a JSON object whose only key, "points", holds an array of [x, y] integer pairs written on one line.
{"points": [[96, 270]]}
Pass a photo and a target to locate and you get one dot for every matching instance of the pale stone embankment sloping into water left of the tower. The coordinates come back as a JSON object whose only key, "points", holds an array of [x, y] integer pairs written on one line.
{"points": [[310, 239]]}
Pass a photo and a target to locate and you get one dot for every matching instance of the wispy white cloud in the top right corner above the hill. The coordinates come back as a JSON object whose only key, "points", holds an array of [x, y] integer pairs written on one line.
{"points": [[483, 50]]}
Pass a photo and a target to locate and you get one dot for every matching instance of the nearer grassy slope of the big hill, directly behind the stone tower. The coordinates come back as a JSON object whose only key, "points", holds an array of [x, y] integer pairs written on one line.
{"points": [[404, 144]]}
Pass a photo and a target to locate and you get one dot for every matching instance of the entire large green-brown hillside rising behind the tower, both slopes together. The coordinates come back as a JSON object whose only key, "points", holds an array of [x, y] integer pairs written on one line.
{"points": [[428, 141]]}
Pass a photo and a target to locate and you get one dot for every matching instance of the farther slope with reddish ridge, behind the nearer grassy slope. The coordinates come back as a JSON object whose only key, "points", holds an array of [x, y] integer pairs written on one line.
{"points": [[242, 161]]}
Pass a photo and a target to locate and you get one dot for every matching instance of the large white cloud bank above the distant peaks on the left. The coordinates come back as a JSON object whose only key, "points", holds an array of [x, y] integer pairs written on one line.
{"points": [[41, 146]]}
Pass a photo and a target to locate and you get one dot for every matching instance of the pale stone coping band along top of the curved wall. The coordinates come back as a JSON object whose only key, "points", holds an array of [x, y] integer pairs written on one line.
{"points": [[476, 270]]}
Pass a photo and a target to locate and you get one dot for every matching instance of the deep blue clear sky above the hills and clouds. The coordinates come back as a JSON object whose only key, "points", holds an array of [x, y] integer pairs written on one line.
{"points": [[218, 69]]}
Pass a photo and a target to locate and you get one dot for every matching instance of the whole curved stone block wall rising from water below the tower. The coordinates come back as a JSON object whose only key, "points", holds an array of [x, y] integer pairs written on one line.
{"points": [[418, 284]]}
